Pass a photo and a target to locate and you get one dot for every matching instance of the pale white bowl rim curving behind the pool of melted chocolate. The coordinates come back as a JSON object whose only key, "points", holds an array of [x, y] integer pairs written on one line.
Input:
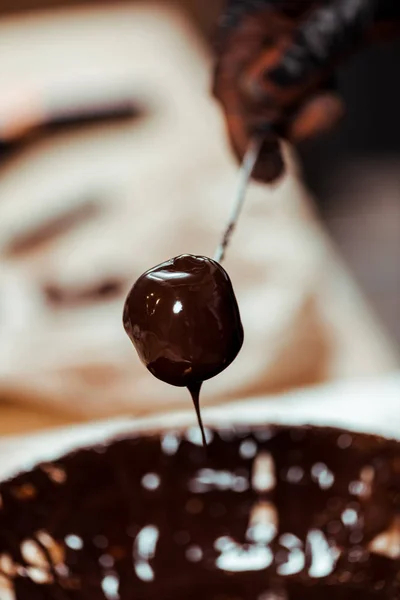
{"points": [[370, 408]]}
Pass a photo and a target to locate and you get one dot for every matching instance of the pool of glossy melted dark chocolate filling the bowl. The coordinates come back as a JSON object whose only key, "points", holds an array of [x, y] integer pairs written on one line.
{"points": [[157, 518]]}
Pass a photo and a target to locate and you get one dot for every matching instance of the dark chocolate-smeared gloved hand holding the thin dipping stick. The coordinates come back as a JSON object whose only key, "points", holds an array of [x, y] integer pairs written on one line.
{"points": [[275, 65]]}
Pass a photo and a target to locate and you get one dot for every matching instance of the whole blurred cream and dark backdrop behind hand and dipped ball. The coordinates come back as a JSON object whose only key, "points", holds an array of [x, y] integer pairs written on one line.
{"points": [[113, 157]]}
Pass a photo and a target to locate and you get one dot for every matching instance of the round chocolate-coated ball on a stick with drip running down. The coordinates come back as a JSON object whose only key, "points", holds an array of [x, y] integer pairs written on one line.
{"points": [[184, 321]]}
